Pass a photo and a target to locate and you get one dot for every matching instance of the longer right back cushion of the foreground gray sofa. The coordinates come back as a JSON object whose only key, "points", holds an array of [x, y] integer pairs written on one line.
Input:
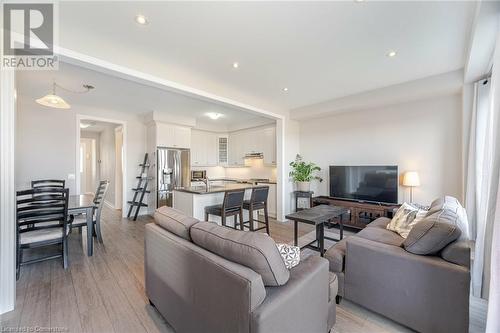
{"points": [[254, 250]]}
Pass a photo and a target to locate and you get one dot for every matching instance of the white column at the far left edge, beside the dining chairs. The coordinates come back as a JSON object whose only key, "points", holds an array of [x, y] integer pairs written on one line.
{"points": [[7, 191]]}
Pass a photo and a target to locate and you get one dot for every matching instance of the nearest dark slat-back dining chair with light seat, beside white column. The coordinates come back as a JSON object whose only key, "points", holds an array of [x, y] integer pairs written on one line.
{"points": [[41, 220]]}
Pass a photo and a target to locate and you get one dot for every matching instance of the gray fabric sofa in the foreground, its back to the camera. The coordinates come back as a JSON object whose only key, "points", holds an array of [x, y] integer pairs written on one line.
{"points": [[197, 288]]}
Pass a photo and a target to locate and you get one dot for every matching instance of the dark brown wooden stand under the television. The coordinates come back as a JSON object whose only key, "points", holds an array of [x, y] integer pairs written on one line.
{"points": [[362, 213]]}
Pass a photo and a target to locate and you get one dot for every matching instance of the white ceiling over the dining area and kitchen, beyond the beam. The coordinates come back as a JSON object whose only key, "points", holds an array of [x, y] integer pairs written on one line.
{"points": [[123, 95]]}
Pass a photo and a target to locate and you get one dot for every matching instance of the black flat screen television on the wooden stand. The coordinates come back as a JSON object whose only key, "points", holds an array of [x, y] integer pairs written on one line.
{"points": [[372, 183]]}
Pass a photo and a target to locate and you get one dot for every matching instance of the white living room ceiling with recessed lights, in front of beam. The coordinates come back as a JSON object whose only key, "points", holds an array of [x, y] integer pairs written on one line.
{"points": [[319, 50]]}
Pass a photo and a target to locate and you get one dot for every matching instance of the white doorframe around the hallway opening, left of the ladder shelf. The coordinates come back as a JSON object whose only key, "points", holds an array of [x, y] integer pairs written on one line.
{"points": [[79, 118]]}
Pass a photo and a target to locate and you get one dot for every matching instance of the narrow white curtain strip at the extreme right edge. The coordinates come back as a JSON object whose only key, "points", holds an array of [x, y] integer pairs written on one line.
{"points": [[492, 207]]}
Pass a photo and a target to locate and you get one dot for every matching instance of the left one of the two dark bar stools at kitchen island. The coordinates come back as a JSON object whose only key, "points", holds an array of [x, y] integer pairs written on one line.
{"points": [[231, 206]]}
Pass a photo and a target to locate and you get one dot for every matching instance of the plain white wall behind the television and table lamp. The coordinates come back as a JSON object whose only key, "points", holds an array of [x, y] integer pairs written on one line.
{"points": [[425, 136]]}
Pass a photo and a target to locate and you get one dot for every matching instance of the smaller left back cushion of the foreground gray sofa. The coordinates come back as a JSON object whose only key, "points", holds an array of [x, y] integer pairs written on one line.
{"points": [[174, 221]]}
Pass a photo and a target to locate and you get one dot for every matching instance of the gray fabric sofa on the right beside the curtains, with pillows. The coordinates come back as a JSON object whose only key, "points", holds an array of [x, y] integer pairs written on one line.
{"points": [[428, 293]]}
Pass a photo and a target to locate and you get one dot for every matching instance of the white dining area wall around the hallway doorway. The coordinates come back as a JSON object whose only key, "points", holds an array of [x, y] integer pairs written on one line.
{"points": [[47, 142]]}
